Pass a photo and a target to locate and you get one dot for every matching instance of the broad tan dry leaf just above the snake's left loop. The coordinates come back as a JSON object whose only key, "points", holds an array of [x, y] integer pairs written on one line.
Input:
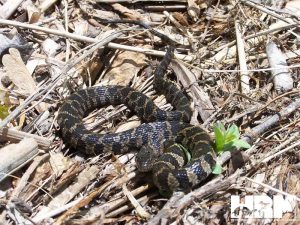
{"points": [[125, 67]]}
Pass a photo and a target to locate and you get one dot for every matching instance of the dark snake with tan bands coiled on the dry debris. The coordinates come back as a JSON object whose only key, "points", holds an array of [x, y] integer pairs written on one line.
{"points": [[164, 141]]}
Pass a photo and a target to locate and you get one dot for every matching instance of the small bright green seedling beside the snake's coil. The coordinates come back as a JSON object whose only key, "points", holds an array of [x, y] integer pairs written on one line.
{"points": [[227, 140]]}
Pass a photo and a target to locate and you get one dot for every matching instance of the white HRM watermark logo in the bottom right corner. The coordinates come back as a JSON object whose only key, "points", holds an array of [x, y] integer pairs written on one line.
{"points": [[261, 206]]}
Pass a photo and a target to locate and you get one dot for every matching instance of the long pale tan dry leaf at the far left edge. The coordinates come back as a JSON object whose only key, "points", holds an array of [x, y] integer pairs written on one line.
{"points": [[18, 73]]}
